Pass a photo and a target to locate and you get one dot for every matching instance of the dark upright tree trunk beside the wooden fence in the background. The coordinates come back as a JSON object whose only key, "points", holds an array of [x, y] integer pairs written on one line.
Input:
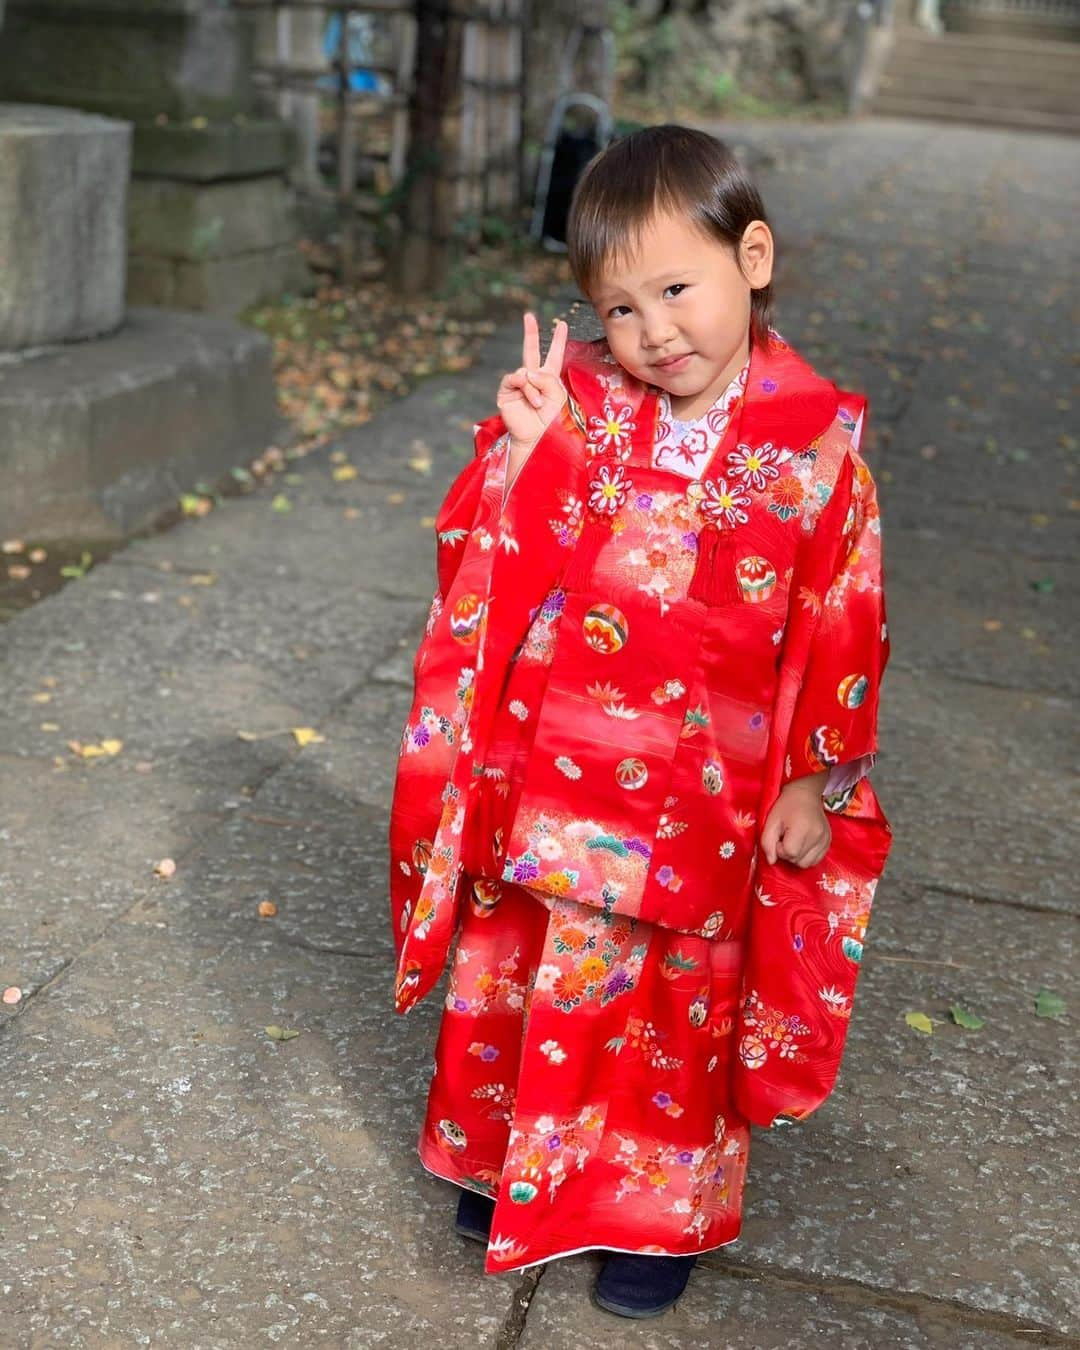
{"points": [[429, 200]]}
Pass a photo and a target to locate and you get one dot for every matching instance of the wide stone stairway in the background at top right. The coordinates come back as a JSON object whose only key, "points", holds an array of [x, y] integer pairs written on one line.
{"points": [[1001, 82]]}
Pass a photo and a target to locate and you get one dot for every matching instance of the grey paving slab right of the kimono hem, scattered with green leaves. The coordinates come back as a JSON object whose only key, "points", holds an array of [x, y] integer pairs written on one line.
{"points": [[940, 1167]]}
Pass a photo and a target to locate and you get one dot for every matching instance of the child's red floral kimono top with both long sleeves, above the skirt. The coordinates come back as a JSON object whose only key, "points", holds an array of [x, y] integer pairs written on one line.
{"points": [[622, 669]]}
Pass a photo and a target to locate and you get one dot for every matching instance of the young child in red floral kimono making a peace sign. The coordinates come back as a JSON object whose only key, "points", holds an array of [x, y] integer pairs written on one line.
{"points": [[632, 784]]}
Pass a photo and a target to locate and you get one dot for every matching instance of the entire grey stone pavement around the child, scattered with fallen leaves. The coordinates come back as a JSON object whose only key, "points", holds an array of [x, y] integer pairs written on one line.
{"points": [[175, 1178]]}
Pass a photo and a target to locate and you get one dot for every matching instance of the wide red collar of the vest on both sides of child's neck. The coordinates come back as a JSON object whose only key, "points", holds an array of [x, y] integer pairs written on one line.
{"points": [[786, 403]]}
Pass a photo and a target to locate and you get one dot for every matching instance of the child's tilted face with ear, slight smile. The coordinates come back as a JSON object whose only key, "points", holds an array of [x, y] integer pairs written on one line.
{"points": [[677, 311]]}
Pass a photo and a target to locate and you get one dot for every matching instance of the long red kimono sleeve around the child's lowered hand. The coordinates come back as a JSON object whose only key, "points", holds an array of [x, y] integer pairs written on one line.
{"points": [[808, 925]]}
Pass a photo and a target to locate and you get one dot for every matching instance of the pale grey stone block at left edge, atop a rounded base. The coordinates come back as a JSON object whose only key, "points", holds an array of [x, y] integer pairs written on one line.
{"points": [[63, 225]]}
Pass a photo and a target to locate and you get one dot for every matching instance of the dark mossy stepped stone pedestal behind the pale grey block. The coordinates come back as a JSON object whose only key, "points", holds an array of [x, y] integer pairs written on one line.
{"points": [[213, 223]]}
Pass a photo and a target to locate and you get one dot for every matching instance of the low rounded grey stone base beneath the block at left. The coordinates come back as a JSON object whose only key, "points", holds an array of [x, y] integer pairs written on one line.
{"points": [[97, 439]]}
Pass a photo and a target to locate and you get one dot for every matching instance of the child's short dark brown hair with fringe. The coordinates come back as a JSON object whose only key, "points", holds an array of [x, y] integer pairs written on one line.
{"points": [[665, 168]]}
